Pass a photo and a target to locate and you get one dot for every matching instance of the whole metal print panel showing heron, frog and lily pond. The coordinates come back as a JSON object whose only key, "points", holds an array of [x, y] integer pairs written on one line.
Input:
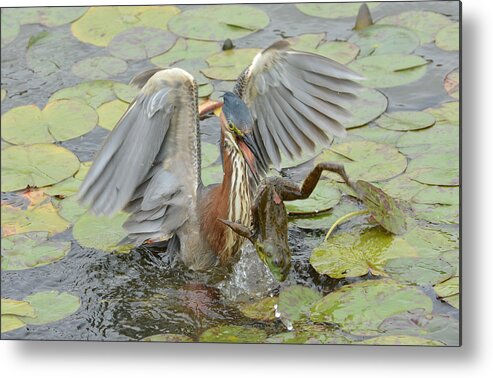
{"points": [[241, 173]]}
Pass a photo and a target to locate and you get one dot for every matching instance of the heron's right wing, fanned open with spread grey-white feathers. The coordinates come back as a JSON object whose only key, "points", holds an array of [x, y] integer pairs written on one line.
{"points": [[296, 99]]}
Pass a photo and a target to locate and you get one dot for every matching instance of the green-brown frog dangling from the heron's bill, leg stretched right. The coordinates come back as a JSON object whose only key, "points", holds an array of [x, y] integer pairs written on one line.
{"points": [[269, 229]]}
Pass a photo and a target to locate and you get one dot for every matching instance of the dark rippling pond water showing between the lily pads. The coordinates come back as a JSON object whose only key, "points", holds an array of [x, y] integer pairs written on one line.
{"points": [[146, 292]]}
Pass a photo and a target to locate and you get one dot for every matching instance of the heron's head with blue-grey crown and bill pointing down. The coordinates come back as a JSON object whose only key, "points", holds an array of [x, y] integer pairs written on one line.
{"points": [[238, 124]]}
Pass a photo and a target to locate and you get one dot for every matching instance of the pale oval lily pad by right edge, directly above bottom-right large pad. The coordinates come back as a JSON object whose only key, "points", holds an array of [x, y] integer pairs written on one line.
{"points": [[419, 271]]}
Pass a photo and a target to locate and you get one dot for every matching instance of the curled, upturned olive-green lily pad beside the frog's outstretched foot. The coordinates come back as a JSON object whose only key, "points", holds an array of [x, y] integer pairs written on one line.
{"points": [[384, 209]]}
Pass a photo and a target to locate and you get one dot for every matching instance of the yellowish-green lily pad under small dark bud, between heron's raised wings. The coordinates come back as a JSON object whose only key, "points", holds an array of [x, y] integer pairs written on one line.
{"points": [[229, 64]]}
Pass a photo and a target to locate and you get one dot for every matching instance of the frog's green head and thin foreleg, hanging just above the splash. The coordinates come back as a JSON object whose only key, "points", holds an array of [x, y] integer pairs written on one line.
{"points": [[275, 254]]}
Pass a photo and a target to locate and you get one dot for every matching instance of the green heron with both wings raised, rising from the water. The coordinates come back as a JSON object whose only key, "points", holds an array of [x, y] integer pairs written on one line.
{"points": [[285, 103]]}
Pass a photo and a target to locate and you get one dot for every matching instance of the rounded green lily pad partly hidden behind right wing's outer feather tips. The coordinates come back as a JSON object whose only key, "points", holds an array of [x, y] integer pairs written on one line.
{"points": [[368, 106]]}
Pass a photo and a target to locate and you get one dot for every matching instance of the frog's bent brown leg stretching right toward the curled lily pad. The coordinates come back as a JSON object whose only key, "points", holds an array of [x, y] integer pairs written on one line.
{"points": [[290, 191]]}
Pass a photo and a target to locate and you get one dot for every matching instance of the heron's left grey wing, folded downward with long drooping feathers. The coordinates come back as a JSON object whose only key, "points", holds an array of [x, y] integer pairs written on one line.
{"points": [[149, 164]]}
